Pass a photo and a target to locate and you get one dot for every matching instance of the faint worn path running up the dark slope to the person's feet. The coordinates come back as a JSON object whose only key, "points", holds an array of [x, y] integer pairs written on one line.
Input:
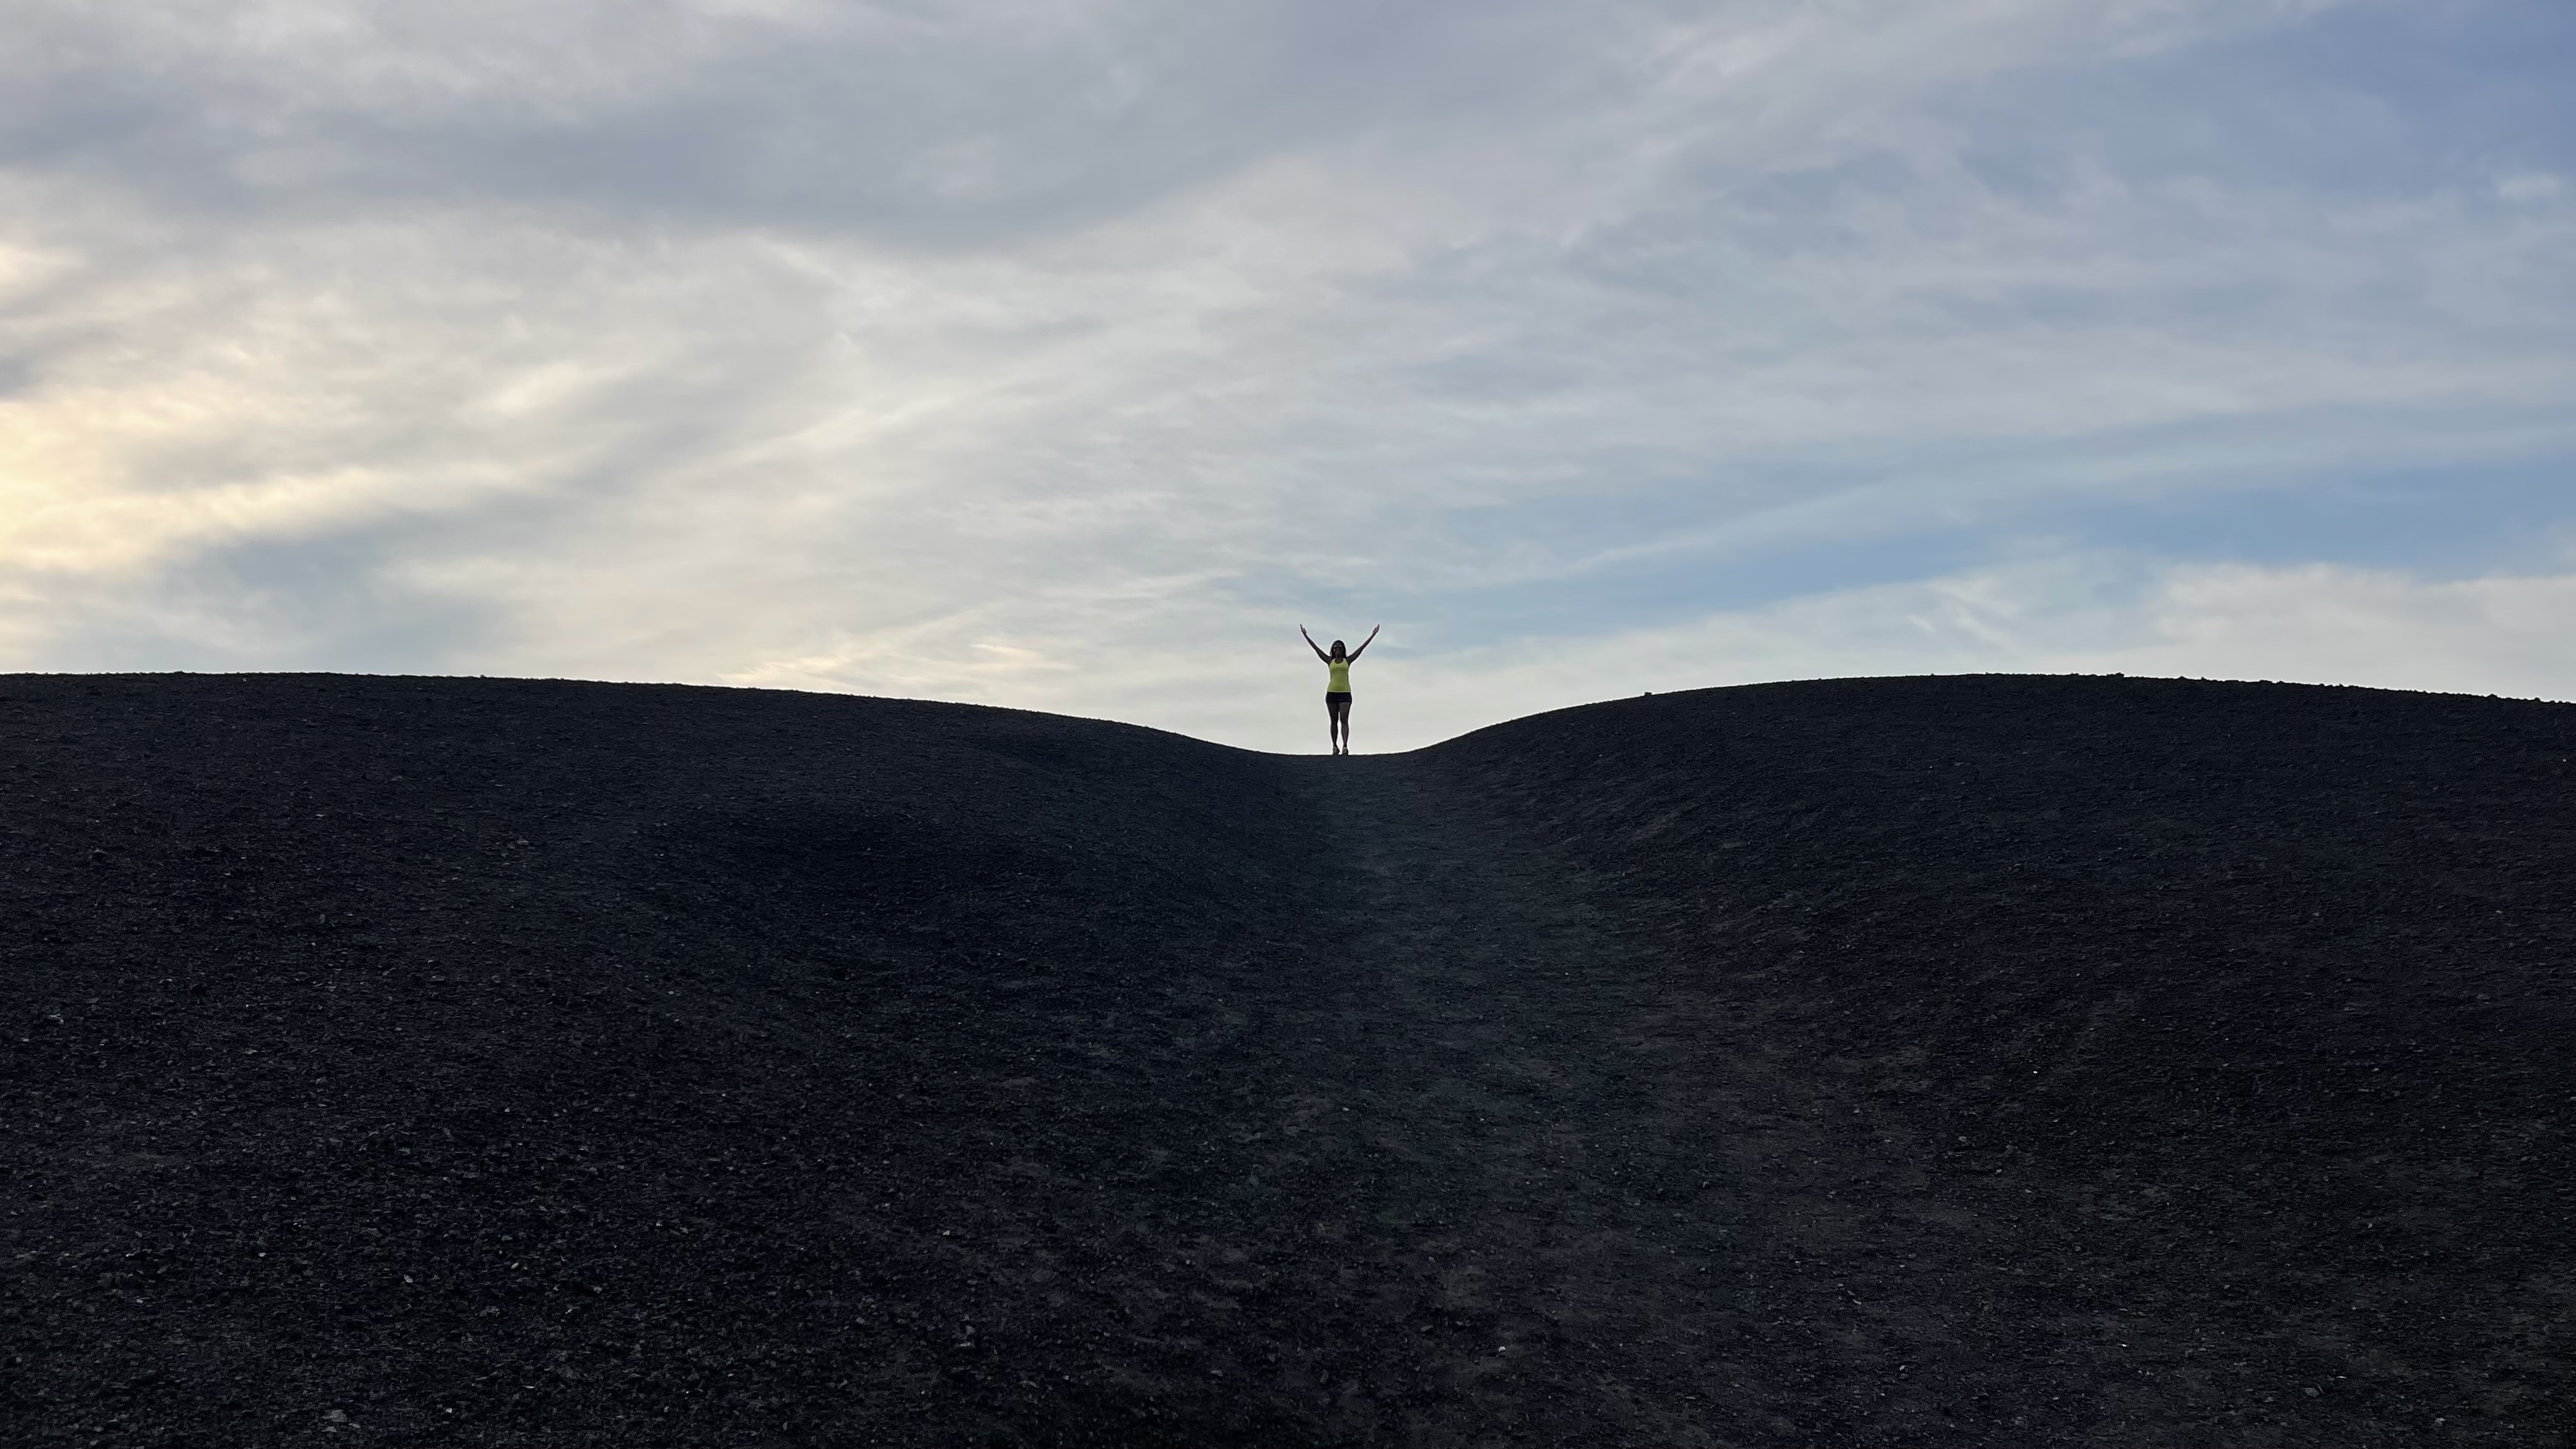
{"points": [[1606, 1203]]}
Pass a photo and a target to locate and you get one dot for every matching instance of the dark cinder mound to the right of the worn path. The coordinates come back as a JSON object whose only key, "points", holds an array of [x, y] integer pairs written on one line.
{"points": [[2150, 1061]]}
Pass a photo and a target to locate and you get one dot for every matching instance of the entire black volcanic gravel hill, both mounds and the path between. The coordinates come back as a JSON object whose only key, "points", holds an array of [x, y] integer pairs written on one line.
{"points": [[1936, 1061]]}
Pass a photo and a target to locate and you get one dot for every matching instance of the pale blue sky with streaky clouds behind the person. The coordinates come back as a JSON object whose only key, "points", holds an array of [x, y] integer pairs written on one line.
{"points": [[1073, 355]]}
